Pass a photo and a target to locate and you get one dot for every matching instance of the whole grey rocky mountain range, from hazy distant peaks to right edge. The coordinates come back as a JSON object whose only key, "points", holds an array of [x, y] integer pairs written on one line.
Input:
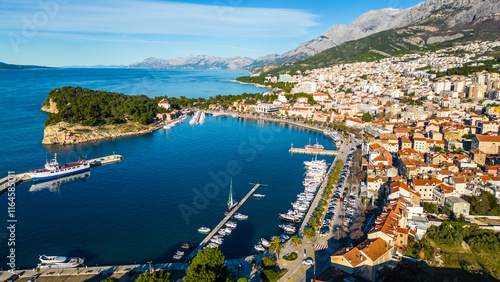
{"points": [[437, 18]]}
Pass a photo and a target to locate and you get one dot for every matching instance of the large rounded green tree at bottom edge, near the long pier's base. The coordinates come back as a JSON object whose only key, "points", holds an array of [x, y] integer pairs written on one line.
{"points": [[208, 265]]}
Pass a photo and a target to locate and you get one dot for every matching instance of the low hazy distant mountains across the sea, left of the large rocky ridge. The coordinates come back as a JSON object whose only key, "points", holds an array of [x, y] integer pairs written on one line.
{"points": [[195, 62]]}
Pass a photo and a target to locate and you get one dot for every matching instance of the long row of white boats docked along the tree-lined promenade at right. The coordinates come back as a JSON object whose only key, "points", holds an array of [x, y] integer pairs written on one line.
{"points": [[316, 171]]}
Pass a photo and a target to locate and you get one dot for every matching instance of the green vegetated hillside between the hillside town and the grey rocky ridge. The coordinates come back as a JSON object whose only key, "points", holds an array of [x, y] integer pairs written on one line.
{"points": [[428, 35]]}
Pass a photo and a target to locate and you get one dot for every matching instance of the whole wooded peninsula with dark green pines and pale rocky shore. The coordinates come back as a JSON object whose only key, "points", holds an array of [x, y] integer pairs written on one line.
{"points": [[78, 115]]}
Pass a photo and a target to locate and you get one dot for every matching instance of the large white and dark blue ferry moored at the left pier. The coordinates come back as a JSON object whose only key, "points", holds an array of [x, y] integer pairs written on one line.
{"points": [[53, 170]]}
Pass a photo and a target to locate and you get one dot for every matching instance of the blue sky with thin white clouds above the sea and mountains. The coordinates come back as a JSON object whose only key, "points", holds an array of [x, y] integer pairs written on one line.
{"points": [[120, 32]]}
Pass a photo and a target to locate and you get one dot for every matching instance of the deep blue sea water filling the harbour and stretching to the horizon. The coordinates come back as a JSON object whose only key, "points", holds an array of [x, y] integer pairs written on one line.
{"points": [[169, 184]]}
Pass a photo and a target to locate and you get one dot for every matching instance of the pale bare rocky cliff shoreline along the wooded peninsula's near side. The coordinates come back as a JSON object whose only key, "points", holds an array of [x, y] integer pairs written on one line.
{"points": [[64, 133]]}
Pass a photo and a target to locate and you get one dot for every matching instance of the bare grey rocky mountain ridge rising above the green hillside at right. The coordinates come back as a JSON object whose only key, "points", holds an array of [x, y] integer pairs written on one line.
{"points": [[385, 19]]}
